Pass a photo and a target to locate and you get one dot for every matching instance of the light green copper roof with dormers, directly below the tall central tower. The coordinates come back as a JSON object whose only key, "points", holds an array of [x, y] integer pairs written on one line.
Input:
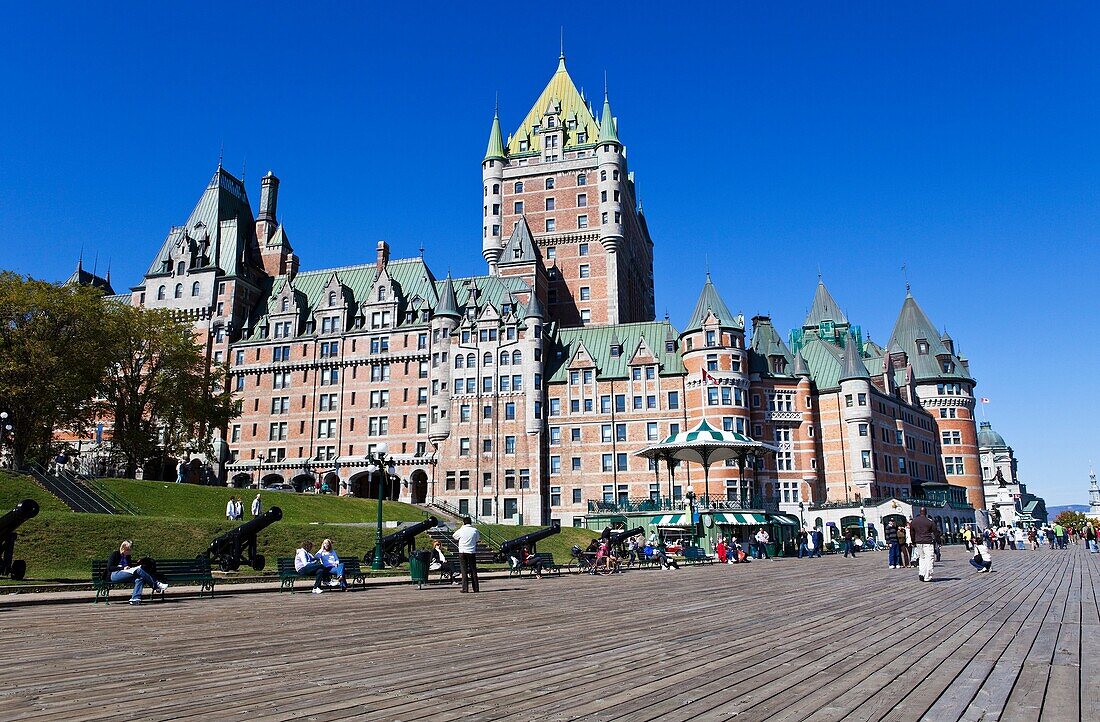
{"points": [[598, 342]]}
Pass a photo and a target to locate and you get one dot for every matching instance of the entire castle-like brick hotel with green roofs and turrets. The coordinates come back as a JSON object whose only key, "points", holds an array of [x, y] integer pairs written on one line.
{"points": [[523, 396]]}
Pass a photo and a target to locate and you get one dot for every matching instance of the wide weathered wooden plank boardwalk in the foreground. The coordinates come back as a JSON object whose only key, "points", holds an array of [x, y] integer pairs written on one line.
{"points": [[827, 639]]}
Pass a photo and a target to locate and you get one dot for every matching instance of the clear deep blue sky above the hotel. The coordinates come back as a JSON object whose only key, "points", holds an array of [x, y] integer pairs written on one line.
{"points": [[774, 139]]}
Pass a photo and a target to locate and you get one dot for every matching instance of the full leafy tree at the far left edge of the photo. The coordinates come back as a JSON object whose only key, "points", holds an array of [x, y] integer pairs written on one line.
{"points": [[54, 355]]}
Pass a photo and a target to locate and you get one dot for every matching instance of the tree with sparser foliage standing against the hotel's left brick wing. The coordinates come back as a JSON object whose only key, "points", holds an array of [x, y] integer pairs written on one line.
{"points": [[164, 397]]}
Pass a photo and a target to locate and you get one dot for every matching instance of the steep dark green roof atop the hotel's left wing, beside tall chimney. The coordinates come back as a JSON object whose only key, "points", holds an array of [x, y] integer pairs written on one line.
{"points": [[224, 200]]}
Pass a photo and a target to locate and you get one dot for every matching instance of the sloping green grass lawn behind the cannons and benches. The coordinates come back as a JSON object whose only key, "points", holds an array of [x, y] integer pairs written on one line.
{"points": [[179, 521]]}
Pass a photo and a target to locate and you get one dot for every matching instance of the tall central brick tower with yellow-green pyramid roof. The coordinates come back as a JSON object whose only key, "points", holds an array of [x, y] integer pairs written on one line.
{"points": [[565, 172]]}
